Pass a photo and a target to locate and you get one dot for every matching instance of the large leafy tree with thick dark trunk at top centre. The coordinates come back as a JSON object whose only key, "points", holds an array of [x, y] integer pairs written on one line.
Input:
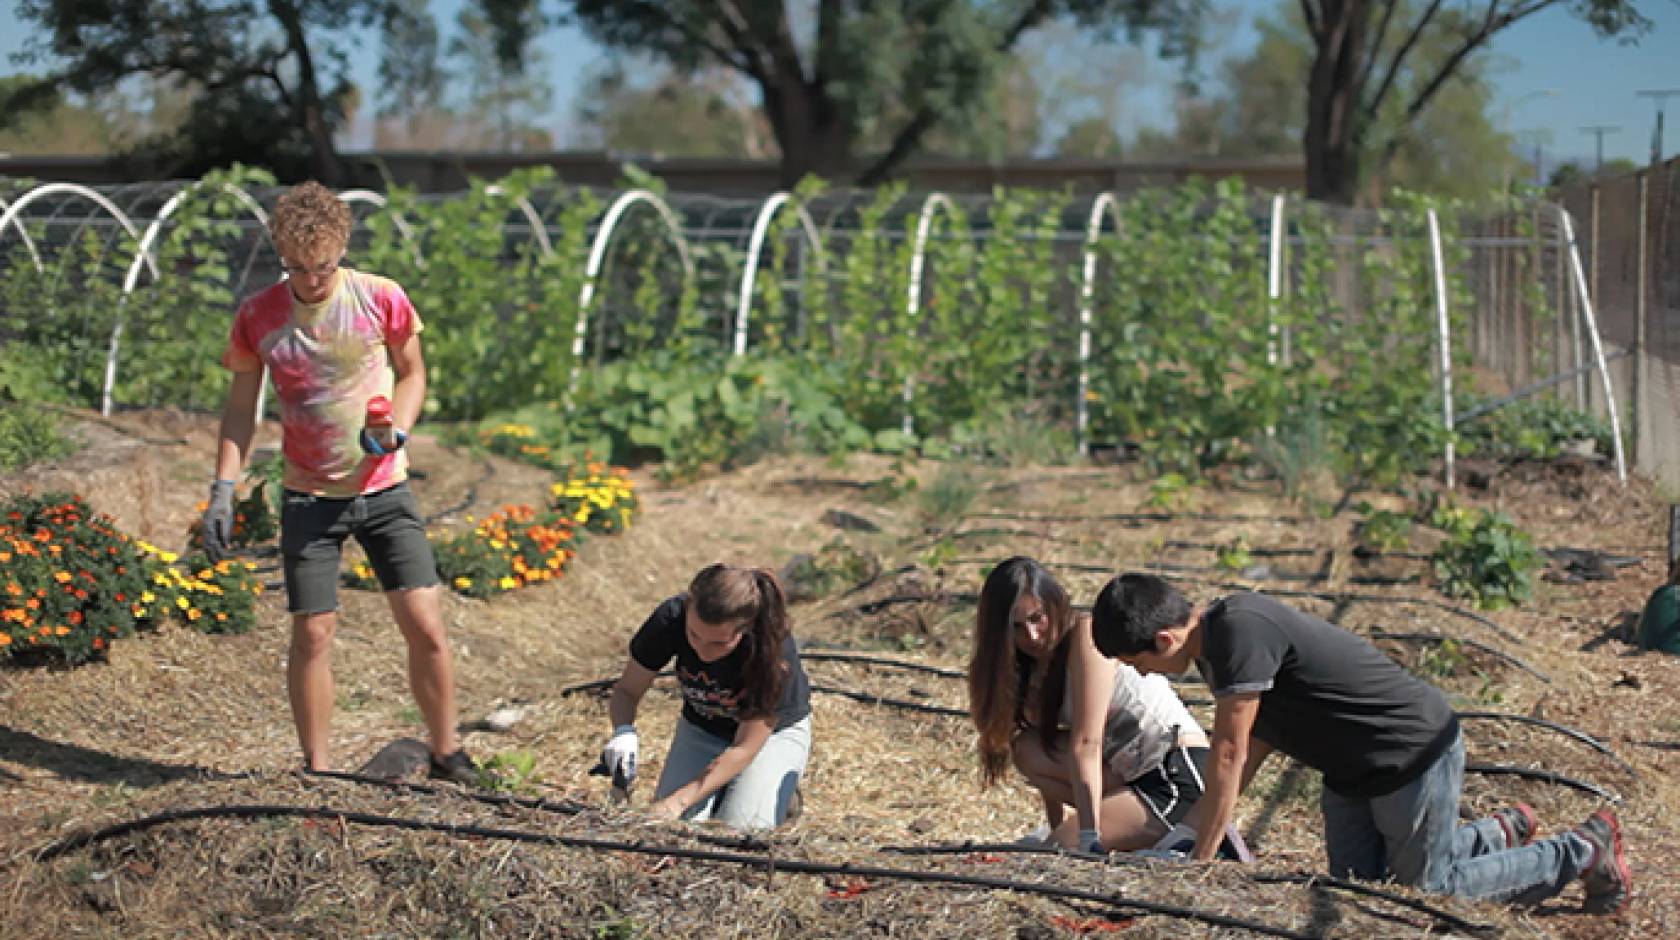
{"points": [[834, 75]]}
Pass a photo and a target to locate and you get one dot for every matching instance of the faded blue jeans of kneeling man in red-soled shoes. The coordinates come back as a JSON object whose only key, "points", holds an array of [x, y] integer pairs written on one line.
{"points": [[1414, 837]]}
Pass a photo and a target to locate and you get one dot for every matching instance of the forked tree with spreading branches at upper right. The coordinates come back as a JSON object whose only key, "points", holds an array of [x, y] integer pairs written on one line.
{"points": [[1368, 85]]}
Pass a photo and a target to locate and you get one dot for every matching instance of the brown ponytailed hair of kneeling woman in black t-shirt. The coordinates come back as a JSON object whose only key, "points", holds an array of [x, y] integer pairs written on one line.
{"points": [[722, 595]]}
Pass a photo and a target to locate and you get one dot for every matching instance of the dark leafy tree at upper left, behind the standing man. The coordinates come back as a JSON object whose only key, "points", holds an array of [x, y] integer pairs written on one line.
{"points": [[270, 78]]}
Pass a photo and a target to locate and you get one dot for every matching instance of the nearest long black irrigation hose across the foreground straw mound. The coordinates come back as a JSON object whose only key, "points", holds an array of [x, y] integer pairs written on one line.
{"points": [[762, 862]]}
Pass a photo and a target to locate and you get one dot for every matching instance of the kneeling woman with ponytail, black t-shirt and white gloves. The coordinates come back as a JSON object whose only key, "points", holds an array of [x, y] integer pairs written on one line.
{"points": [[745, 733]]}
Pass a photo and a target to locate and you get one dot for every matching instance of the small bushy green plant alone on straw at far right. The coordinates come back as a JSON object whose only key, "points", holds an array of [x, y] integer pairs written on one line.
{"points": [[1488, 560]]}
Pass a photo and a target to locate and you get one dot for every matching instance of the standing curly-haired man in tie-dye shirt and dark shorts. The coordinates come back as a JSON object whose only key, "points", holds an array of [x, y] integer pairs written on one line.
{"points": [[333, 338]]}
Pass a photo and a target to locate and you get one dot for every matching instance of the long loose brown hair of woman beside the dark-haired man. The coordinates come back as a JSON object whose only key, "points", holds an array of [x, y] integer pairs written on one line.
{"points": [[999, 674]]}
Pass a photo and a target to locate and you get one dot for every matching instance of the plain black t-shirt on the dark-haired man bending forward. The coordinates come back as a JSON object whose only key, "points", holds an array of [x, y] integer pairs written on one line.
{"points": [[1328, 697]]}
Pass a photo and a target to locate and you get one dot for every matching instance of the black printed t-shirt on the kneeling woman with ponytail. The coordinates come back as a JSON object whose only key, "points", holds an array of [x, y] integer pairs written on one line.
{"points": [[713, 691]]}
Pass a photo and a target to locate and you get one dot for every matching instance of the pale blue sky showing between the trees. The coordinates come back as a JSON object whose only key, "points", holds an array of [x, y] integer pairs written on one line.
{"points": [[1551, 73]]}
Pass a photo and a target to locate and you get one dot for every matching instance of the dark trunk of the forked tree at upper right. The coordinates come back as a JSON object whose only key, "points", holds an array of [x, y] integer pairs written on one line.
{"points": [[1335, 103]]}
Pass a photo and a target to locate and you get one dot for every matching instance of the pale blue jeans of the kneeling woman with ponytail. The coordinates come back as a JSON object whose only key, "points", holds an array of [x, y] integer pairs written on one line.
{"points": [[759, 796]]}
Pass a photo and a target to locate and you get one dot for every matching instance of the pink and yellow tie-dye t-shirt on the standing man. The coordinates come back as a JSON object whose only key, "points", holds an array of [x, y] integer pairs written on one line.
{"points": [[327, 362]]}
